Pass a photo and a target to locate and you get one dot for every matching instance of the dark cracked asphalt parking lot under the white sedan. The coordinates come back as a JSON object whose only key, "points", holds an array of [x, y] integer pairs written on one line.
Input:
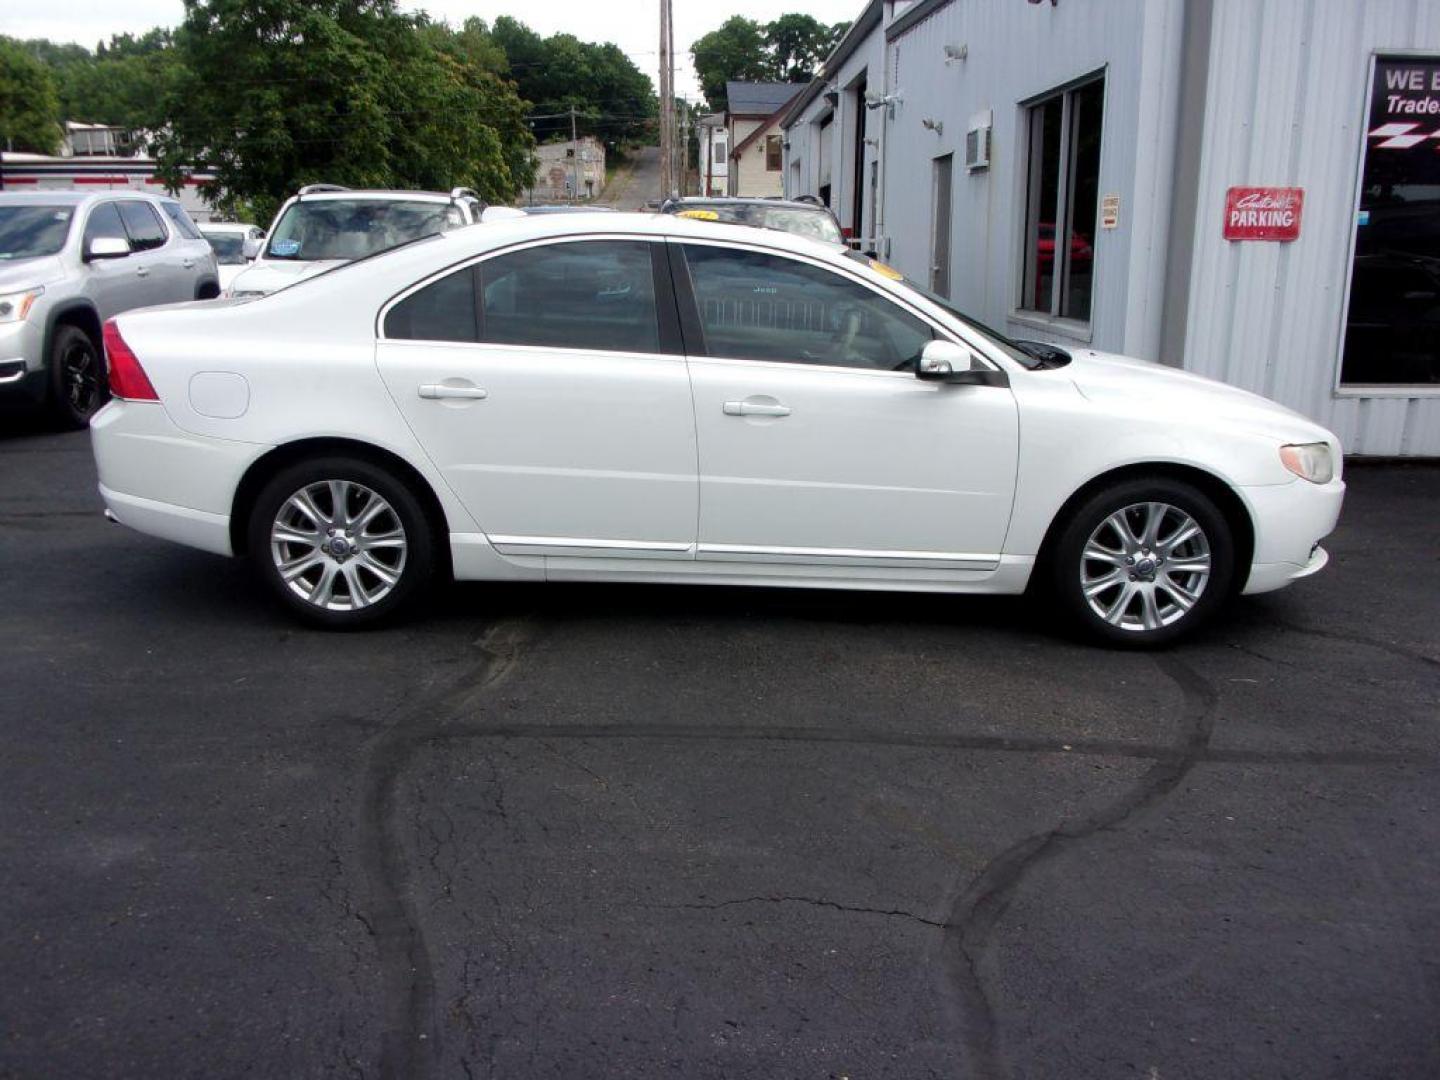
{"points": [[657, 832]]}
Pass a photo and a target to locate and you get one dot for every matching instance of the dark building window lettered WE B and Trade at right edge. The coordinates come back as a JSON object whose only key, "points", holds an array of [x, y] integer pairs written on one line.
{"points": [[1390, 328]]}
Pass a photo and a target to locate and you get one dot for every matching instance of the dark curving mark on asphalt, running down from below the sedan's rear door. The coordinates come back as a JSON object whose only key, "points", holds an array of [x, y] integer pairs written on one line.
{"points": [[410, 1042]]}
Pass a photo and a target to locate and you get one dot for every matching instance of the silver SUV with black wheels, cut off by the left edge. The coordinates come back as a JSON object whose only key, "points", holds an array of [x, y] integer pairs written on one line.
{"points": [[68, 263]]}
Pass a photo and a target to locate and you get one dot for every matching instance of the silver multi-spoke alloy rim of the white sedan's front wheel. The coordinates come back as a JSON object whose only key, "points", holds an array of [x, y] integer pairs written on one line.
{"points": [[1146, 567]]}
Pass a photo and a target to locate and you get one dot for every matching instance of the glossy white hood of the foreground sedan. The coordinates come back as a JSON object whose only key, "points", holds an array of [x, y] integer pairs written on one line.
{"points": [[1170, 391]]}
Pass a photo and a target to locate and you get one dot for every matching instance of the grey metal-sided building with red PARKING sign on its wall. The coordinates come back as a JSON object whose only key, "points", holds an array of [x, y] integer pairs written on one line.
{"points": [[1249, 191]]}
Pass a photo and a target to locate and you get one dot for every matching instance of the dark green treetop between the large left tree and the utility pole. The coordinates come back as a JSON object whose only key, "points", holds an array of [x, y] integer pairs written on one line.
{"points": [[616, 100]]}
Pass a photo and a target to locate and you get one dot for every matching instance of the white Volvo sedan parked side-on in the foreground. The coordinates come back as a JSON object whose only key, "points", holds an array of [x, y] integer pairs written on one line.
{"points": [[654, 400]]}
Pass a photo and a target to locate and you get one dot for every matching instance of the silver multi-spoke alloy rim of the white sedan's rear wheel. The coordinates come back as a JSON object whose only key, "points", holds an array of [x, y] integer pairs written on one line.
{"points": [[339, 545]]}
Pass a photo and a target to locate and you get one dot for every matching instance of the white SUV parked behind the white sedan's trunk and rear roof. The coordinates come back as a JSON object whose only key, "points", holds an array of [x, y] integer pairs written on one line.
{"points": [[325, 227]]}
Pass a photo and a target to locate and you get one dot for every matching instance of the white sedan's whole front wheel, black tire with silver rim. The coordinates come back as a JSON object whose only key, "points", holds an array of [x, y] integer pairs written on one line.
{"points": [[1143, 623]]}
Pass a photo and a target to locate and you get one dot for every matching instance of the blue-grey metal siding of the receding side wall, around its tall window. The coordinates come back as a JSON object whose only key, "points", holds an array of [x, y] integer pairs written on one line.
{"points": [[1058, 45]]}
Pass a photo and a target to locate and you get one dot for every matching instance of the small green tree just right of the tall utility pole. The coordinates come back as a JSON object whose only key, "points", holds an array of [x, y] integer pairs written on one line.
{"points": [[791, 50]]}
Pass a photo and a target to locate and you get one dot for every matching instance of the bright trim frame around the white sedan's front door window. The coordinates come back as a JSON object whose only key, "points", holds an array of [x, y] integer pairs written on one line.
{"points": [[693, 328]]}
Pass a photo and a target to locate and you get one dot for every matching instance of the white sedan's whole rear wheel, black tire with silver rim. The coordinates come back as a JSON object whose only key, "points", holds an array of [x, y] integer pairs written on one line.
{"points": [[354, 581]]}
